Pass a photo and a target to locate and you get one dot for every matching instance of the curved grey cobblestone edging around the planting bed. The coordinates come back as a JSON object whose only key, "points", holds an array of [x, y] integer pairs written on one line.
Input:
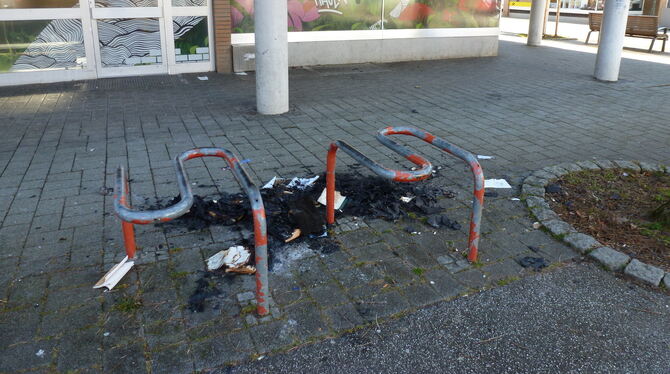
{"points": [[533, 191]]}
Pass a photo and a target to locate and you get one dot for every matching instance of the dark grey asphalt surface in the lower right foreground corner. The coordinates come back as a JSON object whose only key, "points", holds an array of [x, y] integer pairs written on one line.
{"points": [[576, 319]]}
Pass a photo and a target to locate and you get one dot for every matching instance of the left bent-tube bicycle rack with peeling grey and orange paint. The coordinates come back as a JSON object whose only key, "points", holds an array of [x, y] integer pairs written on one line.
{"points": [[132, 217]]}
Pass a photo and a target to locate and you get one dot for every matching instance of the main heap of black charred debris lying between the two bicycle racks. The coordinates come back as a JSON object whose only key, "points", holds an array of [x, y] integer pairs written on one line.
{"points": [[294, 206]]}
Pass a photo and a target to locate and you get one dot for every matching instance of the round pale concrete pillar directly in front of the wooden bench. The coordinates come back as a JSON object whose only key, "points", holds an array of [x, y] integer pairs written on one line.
{"points": [[612, 32]]}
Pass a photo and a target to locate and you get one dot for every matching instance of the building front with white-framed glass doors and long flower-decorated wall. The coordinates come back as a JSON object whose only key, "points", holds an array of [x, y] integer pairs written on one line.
{"points": [[60, 40]]}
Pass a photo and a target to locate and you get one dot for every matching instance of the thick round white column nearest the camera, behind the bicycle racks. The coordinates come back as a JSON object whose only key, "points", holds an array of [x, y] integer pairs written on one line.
{"points": [[271, 23]]}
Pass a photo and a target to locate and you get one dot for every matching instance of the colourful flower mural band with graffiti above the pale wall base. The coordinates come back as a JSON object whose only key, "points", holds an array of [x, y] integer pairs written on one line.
{"points": [[324, 15]]}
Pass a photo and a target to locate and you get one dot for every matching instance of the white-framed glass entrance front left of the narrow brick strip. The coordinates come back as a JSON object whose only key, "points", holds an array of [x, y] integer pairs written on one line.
{"points": [[104, 38]]}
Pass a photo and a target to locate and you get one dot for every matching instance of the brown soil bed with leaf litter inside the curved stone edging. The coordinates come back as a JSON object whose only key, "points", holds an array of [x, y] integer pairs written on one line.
{"points": [[615, 206]]}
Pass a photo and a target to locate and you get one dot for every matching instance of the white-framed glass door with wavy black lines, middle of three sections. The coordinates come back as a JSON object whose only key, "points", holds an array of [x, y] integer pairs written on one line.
{"points": [[129, 37]]}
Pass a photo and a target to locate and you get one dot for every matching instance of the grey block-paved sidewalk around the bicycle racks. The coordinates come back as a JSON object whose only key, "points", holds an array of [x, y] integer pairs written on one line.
{"points": [[529, 108]]}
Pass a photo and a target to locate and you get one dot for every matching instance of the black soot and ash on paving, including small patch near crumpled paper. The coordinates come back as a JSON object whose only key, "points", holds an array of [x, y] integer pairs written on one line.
{"points": [[290, 208]]}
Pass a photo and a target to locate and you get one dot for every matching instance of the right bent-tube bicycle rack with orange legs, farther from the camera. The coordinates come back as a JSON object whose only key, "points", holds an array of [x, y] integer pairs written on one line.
{"points": [[410, 176]]}
